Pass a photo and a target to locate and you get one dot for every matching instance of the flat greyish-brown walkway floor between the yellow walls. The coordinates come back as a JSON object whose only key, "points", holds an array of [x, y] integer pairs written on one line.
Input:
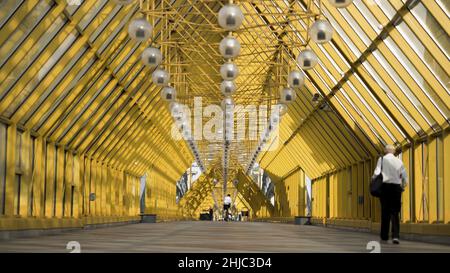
{"points": [[202, 236]]}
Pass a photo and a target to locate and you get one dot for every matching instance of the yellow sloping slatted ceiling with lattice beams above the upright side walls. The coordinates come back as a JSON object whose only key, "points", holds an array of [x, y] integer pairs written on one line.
{"points": [[69, 72]]}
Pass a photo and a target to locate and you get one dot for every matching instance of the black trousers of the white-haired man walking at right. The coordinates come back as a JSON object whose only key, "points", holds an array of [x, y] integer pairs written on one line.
{"points": [[391, 197]]}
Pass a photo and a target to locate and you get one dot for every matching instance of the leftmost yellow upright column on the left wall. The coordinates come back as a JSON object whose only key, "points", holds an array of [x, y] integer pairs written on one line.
{"points": [[10, 169]]}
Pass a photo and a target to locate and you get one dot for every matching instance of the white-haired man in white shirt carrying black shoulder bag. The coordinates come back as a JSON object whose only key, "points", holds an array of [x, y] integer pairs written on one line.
{"points": [[394, 182]]}
